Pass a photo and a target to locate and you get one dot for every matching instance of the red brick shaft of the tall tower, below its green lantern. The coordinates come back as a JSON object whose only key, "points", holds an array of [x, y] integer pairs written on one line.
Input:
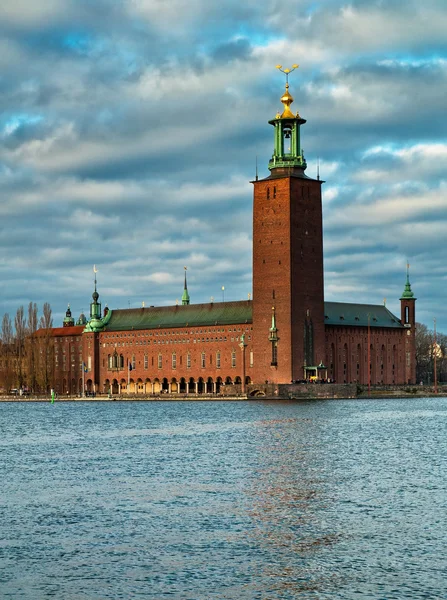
{"points": [[287, 274]]}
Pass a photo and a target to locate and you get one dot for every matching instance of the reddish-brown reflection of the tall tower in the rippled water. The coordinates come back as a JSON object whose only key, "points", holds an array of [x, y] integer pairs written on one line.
{"points": [[291, 510]]}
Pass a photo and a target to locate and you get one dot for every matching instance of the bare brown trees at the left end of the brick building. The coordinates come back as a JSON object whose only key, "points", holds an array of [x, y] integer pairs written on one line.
{"points": [[27, 359]]}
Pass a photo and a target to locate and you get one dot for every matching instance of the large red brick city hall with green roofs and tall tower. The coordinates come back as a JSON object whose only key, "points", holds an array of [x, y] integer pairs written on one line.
{"points": [[286, 333]]}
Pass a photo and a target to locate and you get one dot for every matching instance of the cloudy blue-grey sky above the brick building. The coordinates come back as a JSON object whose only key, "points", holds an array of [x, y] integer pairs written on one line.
{"points": [[129, 131]]}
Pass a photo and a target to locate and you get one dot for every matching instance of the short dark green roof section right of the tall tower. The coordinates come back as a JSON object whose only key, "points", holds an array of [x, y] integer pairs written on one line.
{"points": [[343, 313]]}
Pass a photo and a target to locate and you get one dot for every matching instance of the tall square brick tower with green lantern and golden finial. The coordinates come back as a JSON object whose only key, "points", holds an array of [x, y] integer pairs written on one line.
{"points": [[288, 300]]}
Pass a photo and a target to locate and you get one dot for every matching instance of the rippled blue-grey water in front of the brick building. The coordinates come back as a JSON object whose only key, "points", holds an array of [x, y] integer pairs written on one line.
{"points": [[225, 500]]}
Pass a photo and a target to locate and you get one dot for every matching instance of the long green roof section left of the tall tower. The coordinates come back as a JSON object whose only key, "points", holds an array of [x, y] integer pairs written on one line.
{"points": [[192, 315]]}
